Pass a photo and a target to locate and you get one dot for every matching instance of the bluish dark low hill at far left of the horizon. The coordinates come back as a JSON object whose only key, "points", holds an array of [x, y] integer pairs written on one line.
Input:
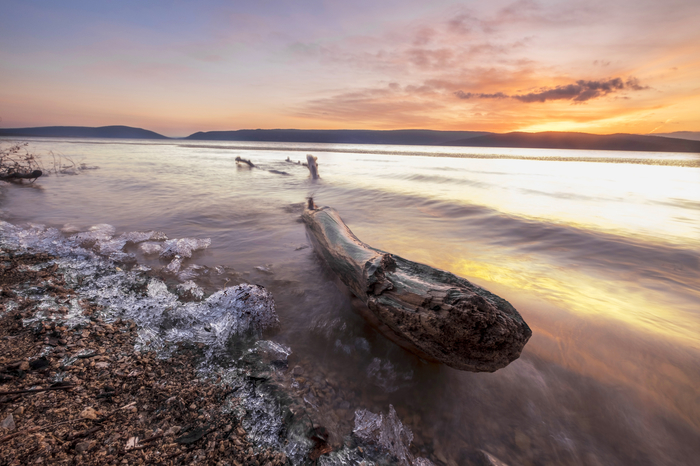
{"points": [[117, 132]]}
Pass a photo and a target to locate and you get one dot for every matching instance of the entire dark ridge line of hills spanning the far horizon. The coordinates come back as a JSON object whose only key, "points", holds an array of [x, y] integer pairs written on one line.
{"points": [[544, 140]]}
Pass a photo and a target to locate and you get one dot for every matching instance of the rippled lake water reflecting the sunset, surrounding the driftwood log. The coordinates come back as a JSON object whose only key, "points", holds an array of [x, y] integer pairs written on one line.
{"points": [[599, 252]]}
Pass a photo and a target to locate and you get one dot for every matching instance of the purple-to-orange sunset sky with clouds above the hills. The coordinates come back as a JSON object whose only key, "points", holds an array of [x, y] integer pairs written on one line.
{"points": [[177, 67]]}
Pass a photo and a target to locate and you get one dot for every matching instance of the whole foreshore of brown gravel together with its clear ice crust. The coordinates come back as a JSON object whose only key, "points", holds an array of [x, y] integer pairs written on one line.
{"points": [[101, 363]]}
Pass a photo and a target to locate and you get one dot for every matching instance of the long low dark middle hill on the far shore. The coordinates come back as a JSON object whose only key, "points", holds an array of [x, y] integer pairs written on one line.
{"points": [[341, 136]]}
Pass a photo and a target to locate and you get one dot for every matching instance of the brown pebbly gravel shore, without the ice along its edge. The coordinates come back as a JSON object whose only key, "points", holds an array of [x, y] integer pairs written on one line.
{"points": [[84, 395]]}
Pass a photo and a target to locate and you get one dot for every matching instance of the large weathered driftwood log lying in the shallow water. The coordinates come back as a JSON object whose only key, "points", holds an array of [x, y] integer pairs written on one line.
{"points": [[430, 312]]}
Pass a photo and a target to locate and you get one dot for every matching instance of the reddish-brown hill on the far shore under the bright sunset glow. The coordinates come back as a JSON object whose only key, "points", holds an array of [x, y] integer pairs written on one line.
{"points": [[561, 140]]}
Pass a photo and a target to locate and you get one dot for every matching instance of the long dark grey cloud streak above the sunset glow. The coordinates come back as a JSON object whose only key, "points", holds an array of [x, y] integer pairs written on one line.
{"points": [[580, 91]]}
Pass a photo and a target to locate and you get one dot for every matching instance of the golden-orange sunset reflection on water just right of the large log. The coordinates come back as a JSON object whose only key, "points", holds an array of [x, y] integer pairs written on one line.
{"points": [[598, 329]]}
